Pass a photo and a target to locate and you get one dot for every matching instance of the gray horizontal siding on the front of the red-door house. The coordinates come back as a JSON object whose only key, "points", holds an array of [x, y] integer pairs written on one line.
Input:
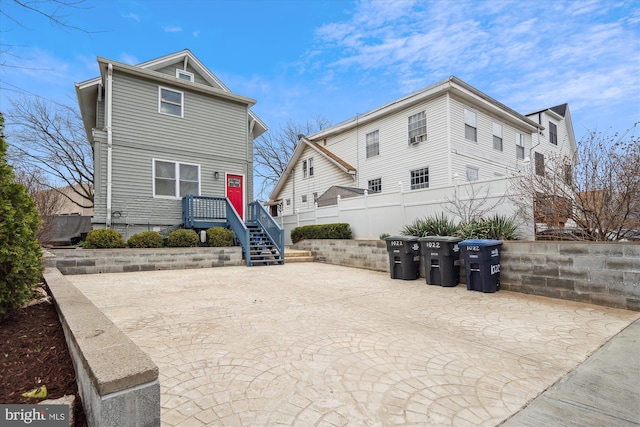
{"points": [[212, 133]]}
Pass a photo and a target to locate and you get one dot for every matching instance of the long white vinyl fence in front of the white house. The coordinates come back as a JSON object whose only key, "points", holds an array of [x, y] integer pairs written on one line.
{"points": [[374, 214]]}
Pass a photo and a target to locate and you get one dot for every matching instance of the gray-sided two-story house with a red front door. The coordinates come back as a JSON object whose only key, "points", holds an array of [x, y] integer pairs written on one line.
{"points": [[169, 140]]}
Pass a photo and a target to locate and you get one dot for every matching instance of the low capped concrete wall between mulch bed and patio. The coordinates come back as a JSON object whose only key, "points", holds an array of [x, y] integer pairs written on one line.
{"points": [[117, 381]]}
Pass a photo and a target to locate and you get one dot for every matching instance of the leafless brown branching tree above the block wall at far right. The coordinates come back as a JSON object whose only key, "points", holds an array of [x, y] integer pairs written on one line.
{"points": [[599, 191]]}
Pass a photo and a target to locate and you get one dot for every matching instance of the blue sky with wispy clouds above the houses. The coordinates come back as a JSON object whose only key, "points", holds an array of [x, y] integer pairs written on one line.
{"points": [[338, 58]]}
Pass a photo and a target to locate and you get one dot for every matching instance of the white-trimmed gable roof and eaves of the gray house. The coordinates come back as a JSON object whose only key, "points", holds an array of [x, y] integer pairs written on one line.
{"points": [[87, 91]]}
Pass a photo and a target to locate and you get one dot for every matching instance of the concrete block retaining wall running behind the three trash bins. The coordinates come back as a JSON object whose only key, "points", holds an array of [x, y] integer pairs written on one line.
{"points": [[599, 273]]}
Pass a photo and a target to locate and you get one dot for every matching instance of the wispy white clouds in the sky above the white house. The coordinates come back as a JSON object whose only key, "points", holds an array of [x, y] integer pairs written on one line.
{"points": [[585, 53]]}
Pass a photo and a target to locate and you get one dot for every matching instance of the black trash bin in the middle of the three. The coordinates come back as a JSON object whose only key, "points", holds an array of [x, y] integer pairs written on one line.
{"points": [[441, 258]]}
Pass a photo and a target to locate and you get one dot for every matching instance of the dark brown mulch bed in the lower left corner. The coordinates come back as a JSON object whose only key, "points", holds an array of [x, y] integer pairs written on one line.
{"points": [[33, 352]]}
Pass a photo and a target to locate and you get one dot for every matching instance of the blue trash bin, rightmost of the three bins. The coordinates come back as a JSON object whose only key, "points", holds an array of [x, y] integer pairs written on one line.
{"points": [[482, 264]]}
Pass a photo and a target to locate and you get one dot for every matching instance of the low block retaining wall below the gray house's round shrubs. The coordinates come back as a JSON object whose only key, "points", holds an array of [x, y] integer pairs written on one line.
{"points": [[90, 261]]}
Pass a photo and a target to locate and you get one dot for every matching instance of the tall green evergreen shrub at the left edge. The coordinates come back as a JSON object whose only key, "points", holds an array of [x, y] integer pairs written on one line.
{"points": [[20, 253]]}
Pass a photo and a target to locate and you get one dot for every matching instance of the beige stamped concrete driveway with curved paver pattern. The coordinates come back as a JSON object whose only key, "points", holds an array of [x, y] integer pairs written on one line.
{"points": [[315, 344]]}
